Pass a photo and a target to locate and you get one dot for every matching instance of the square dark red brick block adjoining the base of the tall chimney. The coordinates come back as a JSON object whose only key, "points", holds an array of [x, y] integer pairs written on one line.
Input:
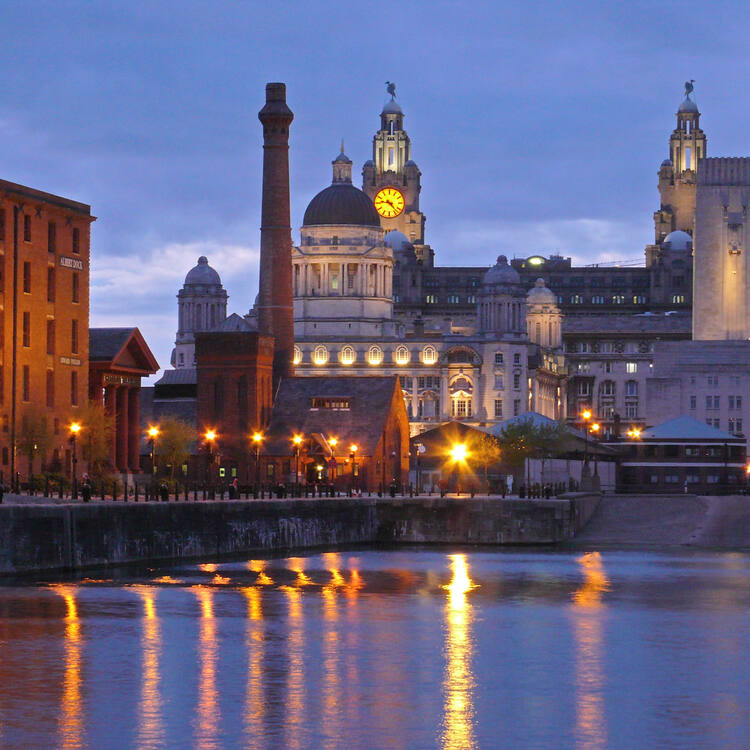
{"points": [[234, 375]]}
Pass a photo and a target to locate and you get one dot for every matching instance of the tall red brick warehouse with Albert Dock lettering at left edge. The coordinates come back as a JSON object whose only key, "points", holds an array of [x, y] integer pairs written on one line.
{"points": [[44, 316]]}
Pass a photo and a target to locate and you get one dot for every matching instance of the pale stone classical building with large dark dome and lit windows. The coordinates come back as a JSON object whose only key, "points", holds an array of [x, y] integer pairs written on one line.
{"points": [[343, 306]]}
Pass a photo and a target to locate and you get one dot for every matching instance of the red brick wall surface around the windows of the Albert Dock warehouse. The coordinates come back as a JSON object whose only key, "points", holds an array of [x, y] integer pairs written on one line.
{"points": [[66, 215]]}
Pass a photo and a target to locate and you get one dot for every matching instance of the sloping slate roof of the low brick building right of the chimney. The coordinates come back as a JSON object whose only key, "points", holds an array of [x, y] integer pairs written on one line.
{"points": [[362, 423]]}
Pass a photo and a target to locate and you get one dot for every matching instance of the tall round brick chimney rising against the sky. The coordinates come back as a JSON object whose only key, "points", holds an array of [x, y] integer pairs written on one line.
{"points": [[275, 310]]}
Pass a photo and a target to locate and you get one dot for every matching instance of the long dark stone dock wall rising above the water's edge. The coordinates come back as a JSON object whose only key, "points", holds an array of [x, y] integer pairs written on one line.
{"points": [[35, 537]]}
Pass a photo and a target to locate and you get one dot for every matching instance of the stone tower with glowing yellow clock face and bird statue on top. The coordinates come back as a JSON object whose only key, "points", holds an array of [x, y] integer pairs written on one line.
{"points": [[392, 180]]}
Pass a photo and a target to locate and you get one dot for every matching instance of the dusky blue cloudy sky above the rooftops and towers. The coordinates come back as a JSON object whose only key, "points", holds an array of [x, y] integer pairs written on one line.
{"points": [[538, 127]]}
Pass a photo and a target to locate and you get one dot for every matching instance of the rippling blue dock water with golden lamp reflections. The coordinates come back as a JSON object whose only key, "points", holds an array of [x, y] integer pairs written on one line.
{"points": [[386, 649]]}
